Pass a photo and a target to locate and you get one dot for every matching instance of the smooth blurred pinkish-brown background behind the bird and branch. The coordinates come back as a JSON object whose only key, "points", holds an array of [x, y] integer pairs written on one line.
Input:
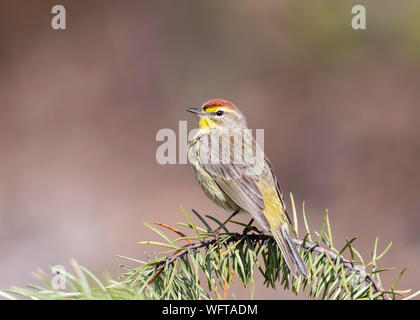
{"points": [[80, 109]]}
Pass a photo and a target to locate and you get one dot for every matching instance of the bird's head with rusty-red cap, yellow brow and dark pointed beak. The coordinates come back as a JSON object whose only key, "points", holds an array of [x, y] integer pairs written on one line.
{"points": [[219, 114]]}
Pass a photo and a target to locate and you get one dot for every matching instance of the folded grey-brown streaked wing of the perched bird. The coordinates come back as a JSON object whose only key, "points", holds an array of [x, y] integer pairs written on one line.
{"points": [[237, 177]]}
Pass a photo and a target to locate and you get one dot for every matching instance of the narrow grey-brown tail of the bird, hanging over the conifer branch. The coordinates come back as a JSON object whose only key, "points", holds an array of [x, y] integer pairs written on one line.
{"points": [[289, 251]]}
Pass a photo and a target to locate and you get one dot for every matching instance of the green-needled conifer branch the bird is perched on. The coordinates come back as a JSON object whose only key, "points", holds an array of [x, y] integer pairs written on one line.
{"points": [[184, 270]]}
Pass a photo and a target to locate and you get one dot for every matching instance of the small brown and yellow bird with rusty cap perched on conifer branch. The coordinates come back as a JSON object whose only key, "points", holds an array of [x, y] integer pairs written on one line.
{"points": [[237, 182]]}
